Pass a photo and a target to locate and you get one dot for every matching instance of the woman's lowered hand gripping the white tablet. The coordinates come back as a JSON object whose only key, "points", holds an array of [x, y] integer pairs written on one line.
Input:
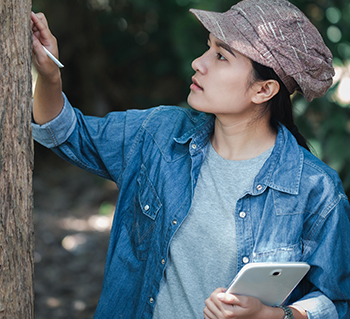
{"points": [[223, 306]]}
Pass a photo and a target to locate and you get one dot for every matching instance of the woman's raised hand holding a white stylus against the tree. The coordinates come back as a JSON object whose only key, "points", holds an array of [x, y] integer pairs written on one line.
{"points": [[43, 36]]}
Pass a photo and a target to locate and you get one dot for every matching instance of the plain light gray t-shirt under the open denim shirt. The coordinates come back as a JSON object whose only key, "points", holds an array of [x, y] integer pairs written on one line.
{"points": [[203, 252]]}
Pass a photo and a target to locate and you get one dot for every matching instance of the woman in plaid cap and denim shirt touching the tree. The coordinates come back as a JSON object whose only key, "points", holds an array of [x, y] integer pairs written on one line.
{"points": [[173, 246]]}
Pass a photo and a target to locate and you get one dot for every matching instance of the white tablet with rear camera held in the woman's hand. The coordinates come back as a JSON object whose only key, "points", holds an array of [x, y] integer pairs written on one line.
{"points": [[271, 283]]}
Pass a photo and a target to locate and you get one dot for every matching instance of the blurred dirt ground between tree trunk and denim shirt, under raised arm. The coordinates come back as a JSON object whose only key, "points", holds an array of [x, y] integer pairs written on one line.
{"points": [[72, 215]]}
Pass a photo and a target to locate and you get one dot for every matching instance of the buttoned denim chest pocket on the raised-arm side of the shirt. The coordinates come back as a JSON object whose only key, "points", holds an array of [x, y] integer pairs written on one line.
{"points": [[142, 221]]}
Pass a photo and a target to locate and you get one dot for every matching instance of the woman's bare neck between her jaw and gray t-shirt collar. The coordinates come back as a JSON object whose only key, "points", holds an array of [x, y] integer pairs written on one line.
{"points": [[242, 140]]}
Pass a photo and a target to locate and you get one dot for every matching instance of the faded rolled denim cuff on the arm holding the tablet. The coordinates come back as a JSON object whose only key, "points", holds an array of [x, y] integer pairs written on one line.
{"points": [[317, 306]]}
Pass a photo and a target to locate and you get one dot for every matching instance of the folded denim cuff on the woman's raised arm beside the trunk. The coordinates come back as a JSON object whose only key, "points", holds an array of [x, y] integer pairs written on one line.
{"points": [[58, 130]]}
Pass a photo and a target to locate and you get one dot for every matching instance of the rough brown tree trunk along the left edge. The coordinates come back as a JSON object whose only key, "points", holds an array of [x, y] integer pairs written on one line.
{"points": [[16, 162]]}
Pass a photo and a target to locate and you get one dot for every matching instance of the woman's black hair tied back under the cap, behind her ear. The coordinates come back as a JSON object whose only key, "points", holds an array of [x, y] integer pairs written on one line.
{"points": [[280, 106]]}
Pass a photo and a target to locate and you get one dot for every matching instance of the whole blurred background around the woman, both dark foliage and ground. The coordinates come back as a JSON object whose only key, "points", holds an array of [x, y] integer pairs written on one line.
{"points": [[122, 54]]}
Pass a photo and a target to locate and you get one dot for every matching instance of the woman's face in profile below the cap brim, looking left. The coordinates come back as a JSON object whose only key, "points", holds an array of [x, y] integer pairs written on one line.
{"points": [[221, 82]]}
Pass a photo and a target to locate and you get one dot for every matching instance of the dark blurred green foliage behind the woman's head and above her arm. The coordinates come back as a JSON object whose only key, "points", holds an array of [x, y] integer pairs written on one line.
{"points": [[123, 54]]}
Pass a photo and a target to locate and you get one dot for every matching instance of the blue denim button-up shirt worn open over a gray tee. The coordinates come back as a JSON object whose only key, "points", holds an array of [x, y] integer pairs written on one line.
{"points": [[296, 210]]}
